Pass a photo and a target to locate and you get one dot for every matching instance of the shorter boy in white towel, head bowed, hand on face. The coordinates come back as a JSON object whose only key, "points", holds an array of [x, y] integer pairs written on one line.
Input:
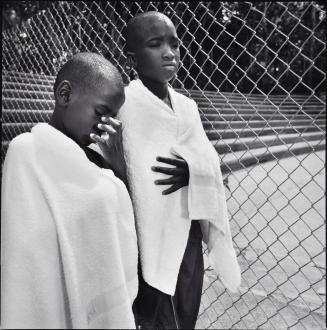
{"points": [[69, 249]]}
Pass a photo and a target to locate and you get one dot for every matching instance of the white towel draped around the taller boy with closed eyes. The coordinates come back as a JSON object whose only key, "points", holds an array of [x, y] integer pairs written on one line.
{"points": [[151, 129]]}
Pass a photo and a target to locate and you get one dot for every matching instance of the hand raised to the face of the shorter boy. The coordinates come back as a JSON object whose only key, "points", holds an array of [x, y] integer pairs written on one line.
{"points": [[111, 145]]}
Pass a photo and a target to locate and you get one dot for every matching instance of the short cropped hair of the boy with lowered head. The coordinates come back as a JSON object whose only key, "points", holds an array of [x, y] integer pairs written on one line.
{"points": [[87, 70]]}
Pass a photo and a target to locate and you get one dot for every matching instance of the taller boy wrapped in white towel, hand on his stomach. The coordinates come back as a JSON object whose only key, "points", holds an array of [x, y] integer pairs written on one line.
{"points": [[161, 124]]}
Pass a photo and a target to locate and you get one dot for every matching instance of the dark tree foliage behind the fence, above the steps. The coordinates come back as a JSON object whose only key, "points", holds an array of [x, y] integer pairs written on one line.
{"points": [[273, 47]]}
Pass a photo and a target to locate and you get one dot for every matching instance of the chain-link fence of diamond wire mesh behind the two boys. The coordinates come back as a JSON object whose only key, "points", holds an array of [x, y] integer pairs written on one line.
{"points": [[257, 72]]}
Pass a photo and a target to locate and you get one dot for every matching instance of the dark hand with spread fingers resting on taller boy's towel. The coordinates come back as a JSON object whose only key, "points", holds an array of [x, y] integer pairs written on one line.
{"points": [[179, 175]]}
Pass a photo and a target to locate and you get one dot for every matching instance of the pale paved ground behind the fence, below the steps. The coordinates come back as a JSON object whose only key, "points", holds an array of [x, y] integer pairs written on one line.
{"points": [[278, 224]]}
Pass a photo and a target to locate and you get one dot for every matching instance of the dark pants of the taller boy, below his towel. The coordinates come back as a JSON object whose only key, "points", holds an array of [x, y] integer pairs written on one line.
{"points": [[154, 309]]}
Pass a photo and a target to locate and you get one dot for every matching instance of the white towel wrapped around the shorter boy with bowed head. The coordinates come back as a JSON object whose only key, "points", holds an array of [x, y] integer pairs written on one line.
{"points": [[69, 248]]}
